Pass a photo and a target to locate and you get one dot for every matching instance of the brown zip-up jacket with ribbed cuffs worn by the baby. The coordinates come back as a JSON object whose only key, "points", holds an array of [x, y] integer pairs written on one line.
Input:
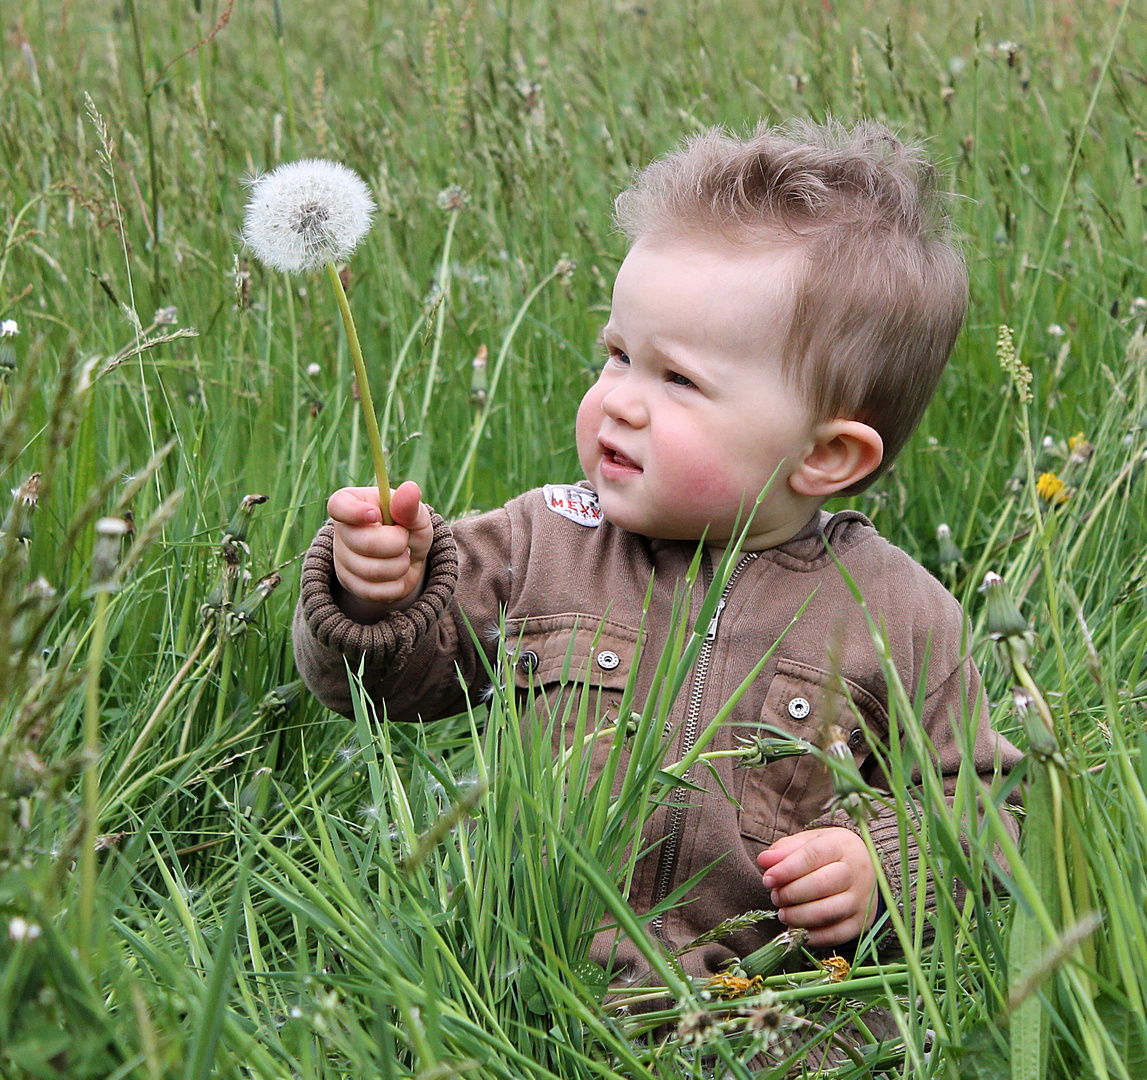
{"points": [[558, 572]]}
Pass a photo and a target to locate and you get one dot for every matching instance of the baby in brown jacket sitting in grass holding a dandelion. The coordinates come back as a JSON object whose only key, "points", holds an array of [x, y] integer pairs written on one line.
{"points": [[784, 314]]}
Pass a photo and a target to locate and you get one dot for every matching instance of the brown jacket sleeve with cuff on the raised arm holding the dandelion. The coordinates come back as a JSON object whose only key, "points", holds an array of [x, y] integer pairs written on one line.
{"points": [[420, 663]]}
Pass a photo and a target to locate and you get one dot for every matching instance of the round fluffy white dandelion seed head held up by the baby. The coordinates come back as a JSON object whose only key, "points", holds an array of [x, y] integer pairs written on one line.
{"points": [[307, 214]]}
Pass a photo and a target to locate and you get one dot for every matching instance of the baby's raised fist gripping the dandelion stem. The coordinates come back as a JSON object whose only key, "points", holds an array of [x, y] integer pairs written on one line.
{"points": [[379, 567]]}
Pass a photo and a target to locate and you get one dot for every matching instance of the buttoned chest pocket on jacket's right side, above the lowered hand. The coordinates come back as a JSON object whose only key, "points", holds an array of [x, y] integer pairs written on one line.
{"points": [[787, 795]]}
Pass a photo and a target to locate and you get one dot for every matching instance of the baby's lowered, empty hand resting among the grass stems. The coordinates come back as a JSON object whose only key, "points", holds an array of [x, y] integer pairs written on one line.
{"points": [[824, 881]]}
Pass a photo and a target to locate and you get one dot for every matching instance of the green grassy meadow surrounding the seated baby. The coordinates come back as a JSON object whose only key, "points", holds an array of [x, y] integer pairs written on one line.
{"points": [[206, 874]]}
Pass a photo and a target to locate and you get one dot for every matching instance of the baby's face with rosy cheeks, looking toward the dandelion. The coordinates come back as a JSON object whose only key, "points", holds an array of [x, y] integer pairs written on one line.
{"points": [[691, 416]]}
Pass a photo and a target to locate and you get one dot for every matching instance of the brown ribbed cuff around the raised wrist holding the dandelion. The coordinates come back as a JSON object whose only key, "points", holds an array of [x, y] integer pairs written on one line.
{"points": [[392, 640]]}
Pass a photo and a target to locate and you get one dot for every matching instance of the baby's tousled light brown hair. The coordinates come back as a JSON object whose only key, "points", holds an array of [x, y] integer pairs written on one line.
{"points": [[885, 287]]}
